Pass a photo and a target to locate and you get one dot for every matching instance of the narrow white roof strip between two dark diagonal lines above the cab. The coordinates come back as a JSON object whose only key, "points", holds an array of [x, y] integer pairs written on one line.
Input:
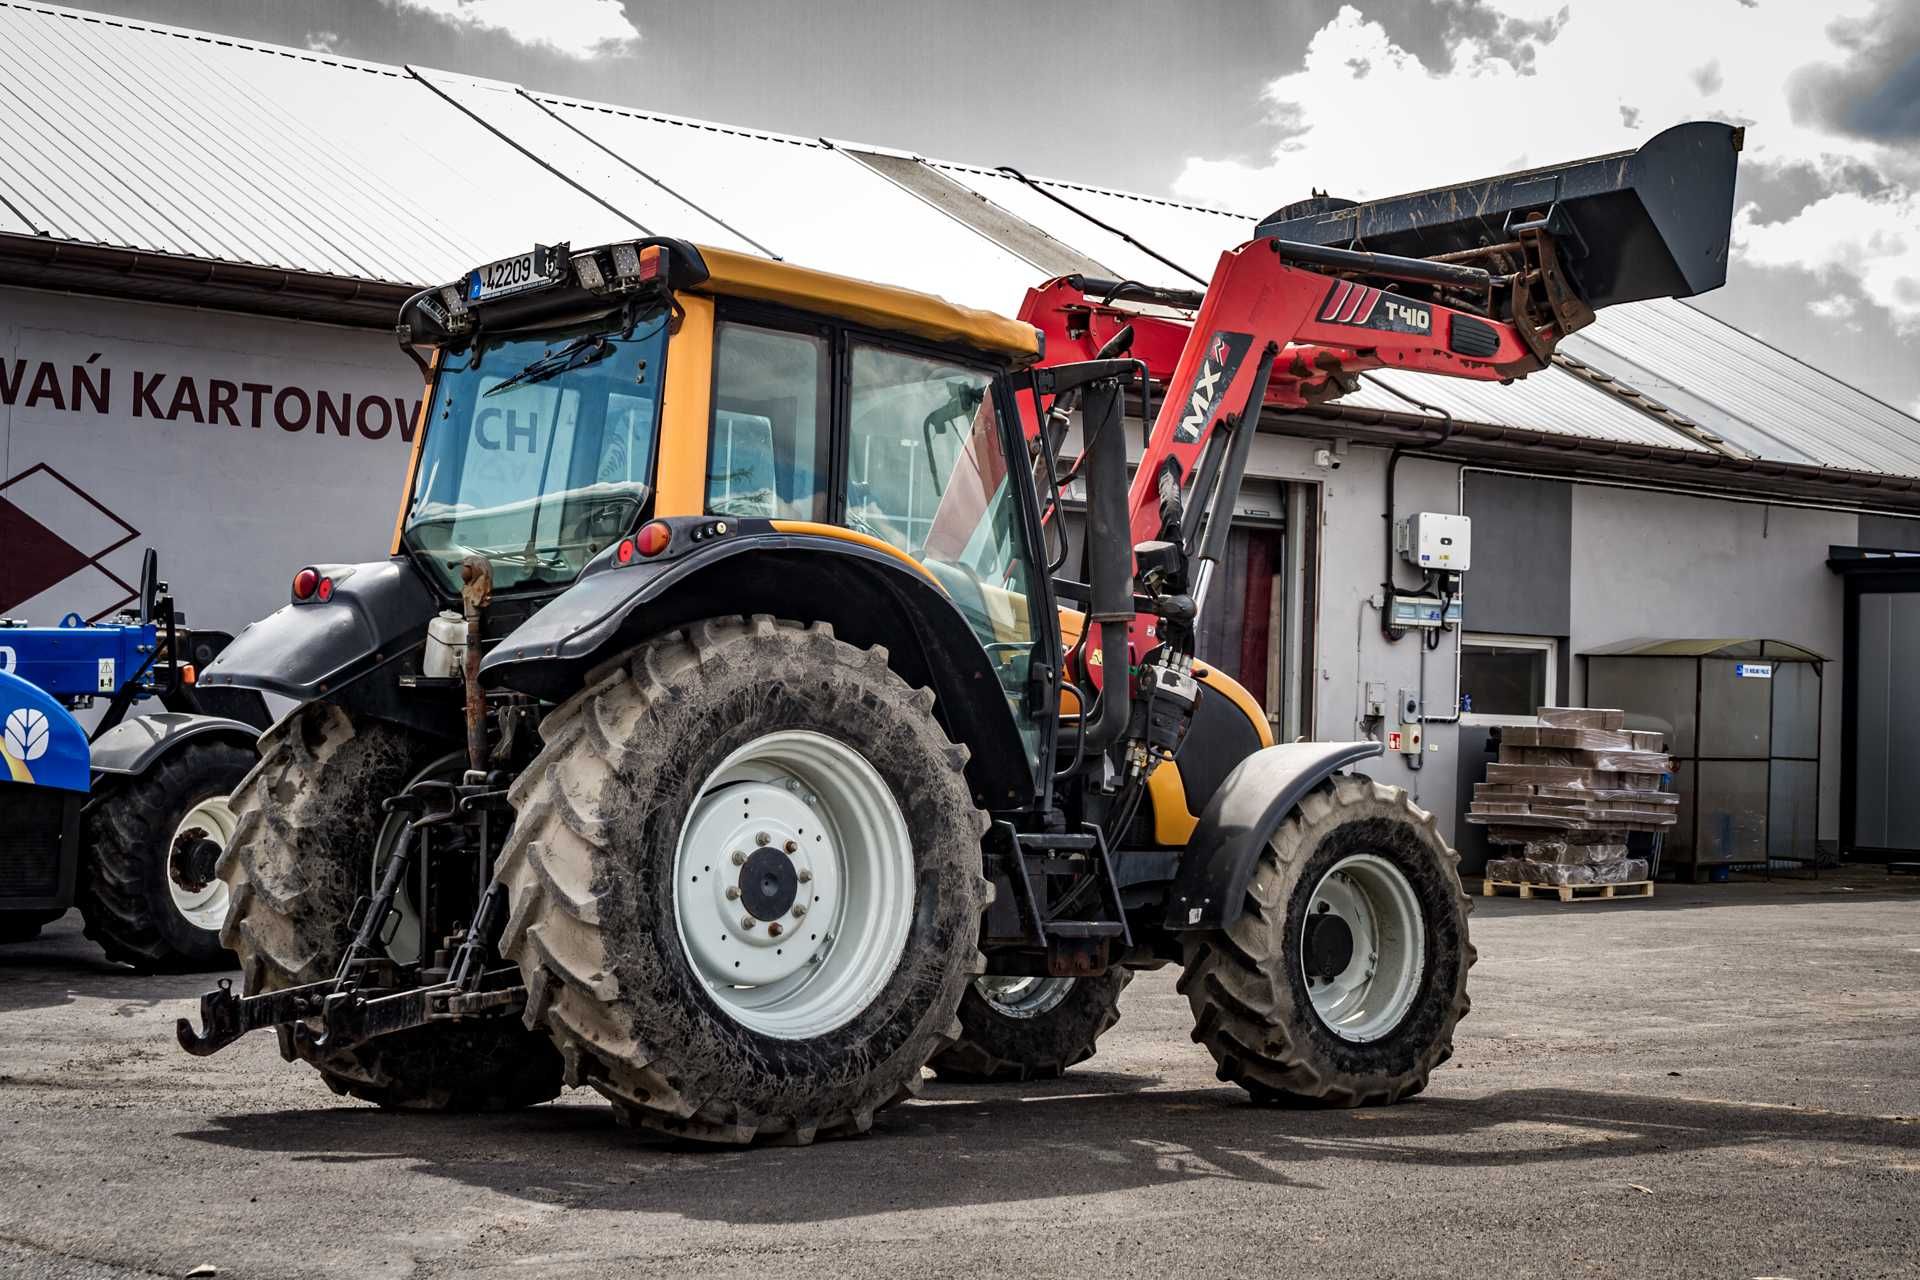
{"points": [[627, 201]]}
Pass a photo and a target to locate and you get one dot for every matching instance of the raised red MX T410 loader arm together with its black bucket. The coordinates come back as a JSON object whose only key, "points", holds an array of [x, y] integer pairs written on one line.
{"points": [[1506, 270]]}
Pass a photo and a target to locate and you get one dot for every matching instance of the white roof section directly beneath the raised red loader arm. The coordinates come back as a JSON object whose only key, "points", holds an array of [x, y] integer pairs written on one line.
{"points": [[1550, 402]]}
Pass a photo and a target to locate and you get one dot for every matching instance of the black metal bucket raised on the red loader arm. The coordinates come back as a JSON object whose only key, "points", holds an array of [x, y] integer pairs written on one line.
{"points": [[1650, 224]]}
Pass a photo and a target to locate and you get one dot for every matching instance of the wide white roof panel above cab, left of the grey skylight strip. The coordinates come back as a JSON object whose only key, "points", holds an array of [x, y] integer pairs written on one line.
{"points": [[811, 204]]}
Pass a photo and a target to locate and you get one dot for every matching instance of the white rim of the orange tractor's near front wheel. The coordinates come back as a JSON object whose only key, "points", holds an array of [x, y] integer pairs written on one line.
{"points": [[1374, 991]]}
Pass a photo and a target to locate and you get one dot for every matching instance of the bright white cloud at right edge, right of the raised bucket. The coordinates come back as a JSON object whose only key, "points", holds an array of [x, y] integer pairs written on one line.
{"points": [[1873, 241]]}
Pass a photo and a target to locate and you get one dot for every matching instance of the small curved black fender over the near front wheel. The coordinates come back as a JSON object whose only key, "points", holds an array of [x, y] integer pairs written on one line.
{"points": [[1222, 853]]}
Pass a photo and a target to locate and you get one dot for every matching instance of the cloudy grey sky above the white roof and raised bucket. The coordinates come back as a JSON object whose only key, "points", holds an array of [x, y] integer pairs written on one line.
{"points": [[1251, 103]]}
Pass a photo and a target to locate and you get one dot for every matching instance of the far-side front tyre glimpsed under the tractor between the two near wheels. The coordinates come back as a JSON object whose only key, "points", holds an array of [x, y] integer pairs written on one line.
{"points": [[1030, 1030]]}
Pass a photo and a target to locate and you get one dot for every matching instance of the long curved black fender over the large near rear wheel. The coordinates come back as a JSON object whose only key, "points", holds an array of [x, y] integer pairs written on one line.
{"points": [[748, 567]]}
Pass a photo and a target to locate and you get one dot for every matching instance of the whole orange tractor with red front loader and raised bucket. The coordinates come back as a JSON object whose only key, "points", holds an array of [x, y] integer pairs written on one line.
{"points": [[723, 734]]}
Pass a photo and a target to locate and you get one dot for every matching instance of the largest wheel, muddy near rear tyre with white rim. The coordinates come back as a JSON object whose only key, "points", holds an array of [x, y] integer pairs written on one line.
{"points": [[746, 884]]}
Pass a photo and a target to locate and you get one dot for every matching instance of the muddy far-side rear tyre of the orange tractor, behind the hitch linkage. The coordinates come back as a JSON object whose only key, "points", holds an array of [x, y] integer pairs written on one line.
{"points": [[302, 853]]}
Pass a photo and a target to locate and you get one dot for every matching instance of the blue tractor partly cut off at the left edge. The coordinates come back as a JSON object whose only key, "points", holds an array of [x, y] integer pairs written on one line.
{"points": [[128, 820]]}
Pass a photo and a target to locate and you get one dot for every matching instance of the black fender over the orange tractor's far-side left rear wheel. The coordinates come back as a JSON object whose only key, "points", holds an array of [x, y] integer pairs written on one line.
{"points": [[373, 623]]}
